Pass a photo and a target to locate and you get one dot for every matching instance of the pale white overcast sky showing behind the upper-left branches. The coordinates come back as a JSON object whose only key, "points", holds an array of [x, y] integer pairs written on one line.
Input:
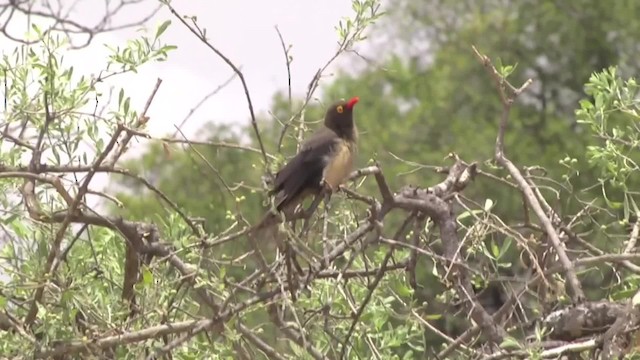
{"points": [[241, 29]]}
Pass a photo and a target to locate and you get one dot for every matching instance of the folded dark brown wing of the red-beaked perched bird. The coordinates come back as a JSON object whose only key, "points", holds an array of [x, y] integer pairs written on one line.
{"points": [[303, 172]]}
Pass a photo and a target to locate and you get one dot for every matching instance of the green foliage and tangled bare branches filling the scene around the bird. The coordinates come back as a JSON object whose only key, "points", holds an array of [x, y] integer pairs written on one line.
{"points": [[493, 213]]}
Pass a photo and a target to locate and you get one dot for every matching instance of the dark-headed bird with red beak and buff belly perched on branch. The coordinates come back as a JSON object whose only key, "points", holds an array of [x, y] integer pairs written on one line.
{"points": [[324, 159]]}
